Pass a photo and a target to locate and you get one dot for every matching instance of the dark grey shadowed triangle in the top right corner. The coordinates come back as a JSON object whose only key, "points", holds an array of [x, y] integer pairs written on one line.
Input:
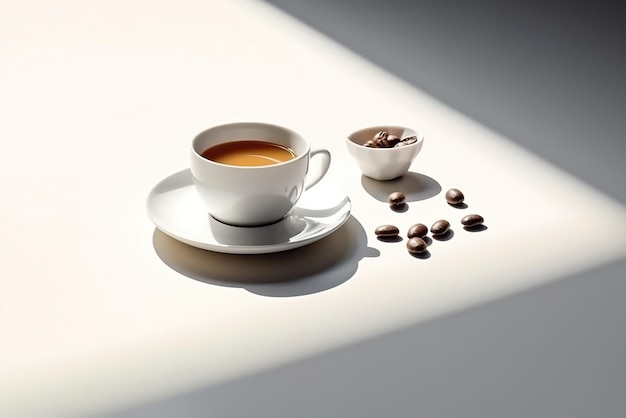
{"points": [[548, 75]]}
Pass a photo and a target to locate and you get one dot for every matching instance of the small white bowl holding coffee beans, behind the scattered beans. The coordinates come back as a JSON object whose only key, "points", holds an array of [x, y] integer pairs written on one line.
{"points": [[384, 163]]}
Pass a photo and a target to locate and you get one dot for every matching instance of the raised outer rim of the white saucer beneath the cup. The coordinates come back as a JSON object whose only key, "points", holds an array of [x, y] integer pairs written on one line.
{"points": [[248, 249]]}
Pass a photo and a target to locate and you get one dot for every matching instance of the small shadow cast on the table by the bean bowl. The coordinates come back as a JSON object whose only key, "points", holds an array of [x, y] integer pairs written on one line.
{"points": [[415, 187]]}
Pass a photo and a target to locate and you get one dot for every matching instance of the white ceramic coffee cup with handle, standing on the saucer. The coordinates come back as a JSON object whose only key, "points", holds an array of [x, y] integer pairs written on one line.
{"points": [[254, 195]]}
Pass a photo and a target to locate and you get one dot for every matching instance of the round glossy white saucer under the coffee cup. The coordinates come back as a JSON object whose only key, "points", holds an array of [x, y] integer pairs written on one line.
{"points": [[175, 209]]}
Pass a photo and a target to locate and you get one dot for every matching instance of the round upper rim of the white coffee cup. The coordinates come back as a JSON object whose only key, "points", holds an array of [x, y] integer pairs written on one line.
{"points": [[290, 132]]}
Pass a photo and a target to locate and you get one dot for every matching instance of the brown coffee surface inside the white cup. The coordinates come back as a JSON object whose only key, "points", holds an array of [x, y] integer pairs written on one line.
{"points": [[248, 153]]}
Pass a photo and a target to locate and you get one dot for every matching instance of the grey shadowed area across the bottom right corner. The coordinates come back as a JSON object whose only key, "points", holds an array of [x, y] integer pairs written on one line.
{"points": [[539, 353]]}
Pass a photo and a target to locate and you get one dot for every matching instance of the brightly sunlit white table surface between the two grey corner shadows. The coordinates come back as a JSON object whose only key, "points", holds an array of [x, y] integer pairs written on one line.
{"points": [[99, 102]]}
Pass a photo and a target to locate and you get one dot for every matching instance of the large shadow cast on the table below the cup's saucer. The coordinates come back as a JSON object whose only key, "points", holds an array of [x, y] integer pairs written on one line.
{"points": [[310, 269]]}
